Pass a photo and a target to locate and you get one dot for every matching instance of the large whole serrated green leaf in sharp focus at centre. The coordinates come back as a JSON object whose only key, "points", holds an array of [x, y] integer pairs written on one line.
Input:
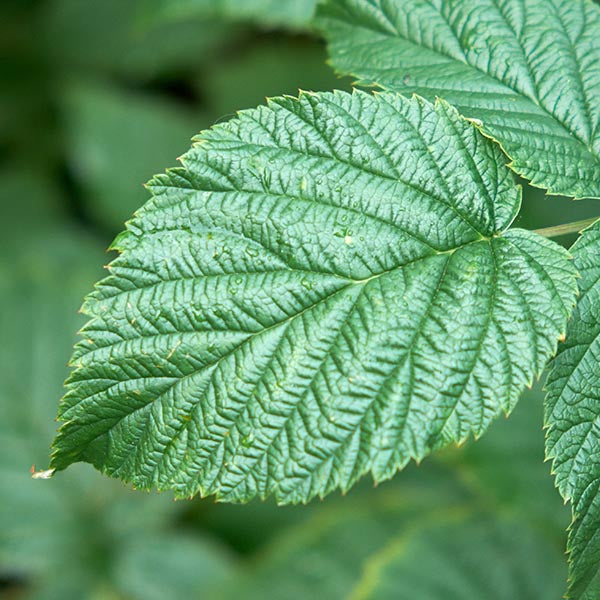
{"points": [[326, 288]]}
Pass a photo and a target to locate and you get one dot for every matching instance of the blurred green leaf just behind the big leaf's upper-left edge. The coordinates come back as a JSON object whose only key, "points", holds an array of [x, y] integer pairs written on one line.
{"points": [[136, 133]]}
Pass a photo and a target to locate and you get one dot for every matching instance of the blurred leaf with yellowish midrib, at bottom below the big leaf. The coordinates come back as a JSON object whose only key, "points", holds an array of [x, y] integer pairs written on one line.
{"points": [[403, 541]]}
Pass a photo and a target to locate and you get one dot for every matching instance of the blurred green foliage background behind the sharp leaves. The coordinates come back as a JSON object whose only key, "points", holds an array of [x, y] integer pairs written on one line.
{"points": [[97, 96]]}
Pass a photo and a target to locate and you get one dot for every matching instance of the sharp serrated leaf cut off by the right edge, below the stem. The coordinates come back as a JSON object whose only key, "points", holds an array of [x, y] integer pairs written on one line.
{"points": [[573, 418]]}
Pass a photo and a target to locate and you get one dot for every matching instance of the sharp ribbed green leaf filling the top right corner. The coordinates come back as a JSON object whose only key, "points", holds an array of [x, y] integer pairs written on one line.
{"points": [[526, 69]]}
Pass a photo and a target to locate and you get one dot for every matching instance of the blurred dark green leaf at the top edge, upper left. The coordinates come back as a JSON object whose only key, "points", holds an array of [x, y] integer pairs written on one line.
{"points": [[119, 38]]}
